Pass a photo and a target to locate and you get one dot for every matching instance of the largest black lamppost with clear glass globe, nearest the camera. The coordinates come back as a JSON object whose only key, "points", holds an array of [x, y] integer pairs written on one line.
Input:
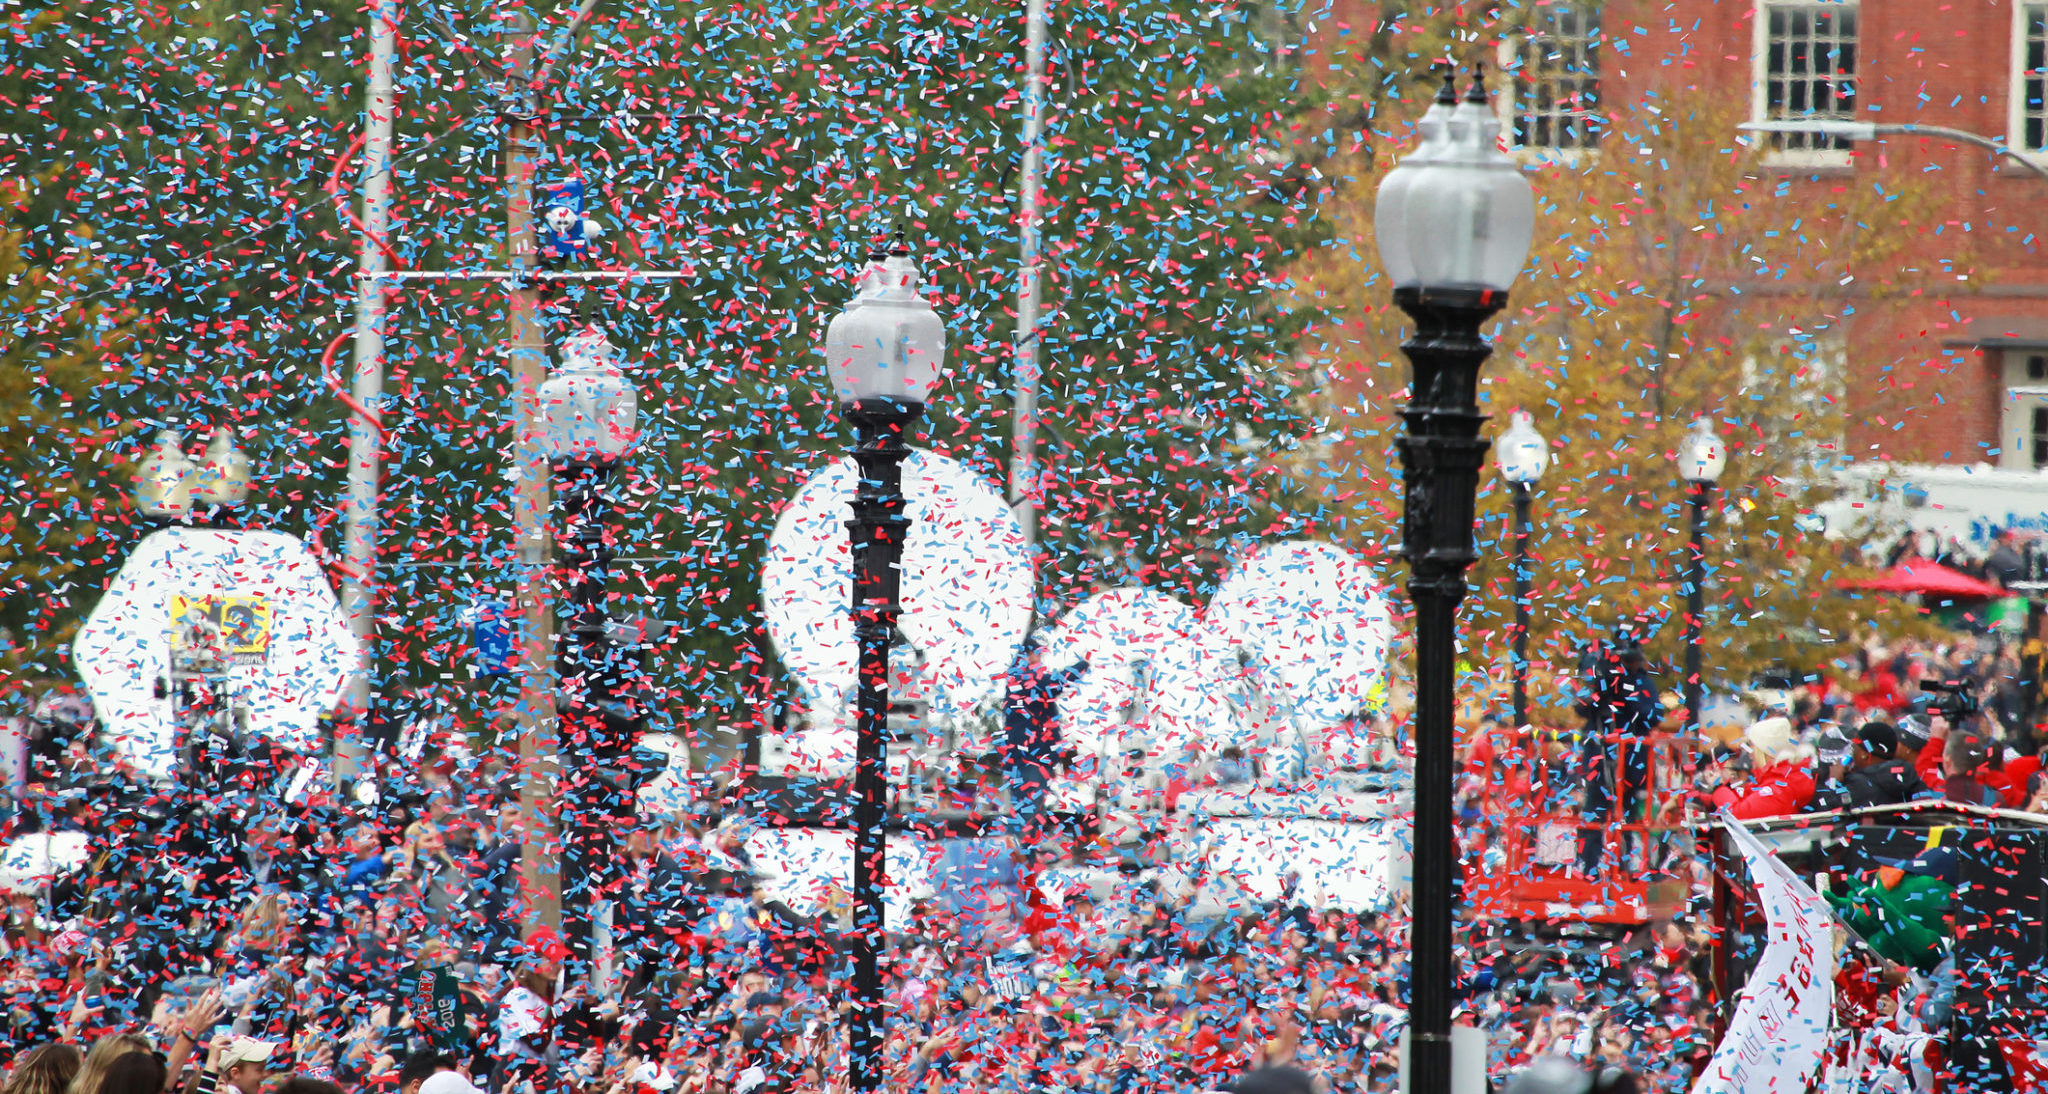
{"points": [[1453, 224]]}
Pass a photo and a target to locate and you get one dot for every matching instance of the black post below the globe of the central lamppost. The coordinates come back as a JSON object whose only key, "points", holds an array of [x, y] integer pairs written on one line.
{"points": [[878, 540]]}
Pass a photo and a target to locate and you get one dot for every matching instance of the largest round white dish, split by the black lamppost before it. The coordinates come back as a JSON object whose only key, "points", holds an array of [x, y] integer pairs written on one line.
{"points": [[968, 583]]}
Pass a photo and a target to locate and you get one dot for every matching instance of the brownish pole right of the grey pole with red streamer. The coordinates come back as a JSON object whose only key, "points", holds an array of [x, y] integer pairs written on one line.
{"points": [[536, 714]]}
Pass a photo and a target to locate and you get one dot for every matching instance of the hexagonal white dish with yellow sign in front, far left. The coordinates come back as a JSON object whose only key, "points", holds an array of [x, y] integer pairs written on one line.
{"points": [[280, 599]]}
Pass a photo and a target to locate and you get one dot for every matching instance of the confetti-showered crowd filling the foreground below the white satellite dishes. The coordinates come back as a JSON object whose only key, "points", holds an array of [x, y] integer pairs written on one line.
{"points": [[239, 939]]}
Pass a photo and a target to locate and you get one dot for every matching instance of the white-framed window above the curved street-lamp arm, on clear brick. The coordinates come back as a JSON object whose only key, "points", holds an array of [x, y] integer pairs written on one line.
{"points": [[1805, 71]]}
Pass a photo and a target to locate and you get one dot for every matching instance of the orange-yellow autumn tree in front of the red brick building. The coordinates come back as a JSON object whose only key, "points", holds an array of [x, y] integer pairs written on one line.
{"points": [[1664, 286]]}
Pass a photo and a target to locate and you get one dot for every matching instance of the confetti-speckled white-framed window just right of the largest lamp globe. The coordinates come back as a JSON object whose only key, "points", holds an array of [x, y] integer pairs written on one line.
{"points": [[1553, 103]]}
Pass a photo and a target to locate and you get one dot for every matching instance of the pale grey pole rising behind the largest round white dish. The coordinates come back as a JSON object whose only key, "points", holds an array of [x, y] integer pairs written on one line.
{"points": [[1025, 427]]}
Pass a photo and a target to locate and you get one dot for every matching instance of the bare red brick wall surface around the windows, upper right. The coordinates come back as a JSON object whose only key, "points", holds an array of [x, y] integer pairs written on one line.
{"points": [[1914, 392]]}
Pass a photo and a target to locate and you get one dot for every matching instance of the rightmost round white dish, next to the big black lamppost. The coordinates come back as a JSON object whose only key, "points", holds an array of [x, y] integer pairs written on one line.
{"points": [[1318, 626]]}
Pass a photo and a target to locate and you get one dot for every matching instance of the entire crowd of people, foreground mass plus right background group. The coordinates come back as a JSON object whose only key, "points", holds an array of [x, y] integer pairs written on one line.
{"points": [[237, 937]]}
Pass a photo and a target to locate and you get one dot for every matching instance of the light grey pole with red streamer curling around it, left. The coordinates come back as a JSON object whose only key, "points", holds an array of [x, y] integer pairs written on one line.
{"points": [[366, 384]]}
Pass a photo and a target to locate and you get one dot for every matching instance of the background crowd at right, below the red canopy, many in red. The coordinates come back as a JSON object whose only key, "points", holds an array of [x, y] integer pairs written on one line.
{"points": [[1865, 732]]}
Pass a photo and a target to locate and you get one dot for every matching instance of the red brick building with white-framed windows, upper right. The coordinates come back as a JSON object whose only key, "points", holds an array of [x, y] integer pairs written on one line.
{"points": [[1957, 372]]}
